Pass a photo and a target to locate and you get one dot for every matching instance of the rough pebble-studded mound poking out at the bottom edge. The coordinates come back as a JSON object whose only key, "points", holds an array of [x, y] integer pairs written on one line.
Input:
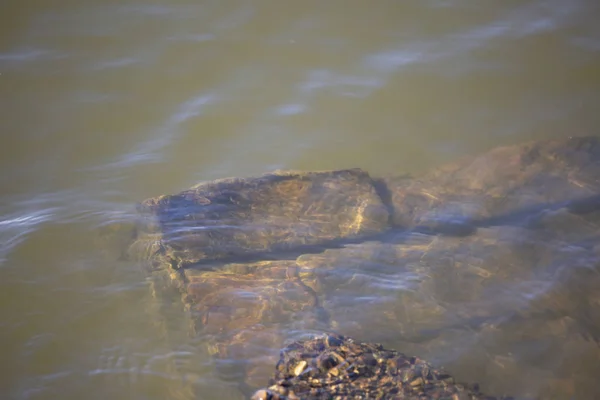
{"points": [[363, 370]]}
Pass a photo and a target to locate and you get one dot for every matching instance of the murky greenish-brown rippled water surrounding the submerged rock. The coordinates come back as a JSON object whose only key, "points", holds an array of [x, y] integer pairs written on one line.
{"points": [[104, 103]]}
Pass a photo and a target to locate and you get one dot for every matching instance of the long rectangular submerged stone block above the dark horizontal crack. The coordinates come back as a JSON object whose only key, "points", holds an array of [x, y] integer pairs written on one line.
{"points": [[237, 217]]}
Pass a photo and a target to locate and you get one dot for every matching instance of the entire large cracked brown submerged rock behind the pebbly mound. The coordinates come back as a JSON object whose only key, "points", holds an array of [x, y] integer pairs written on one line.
{"points": [[496, 251]]}
